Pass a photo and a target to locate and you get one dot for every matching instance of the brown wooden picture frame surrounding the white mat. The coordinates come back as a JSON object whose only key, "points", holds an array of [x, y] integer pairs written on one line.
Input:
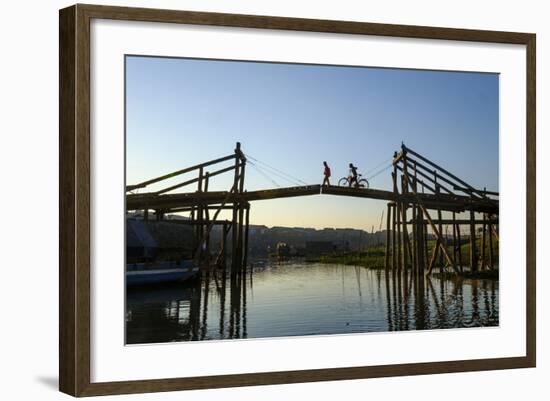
{"points": [[74, 203]]}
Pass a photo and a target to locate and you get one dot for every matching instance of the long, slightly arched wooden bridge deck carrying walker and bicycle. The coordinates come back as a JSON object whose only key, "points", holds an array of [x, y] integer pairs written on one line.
{"points": [[170, 201]]}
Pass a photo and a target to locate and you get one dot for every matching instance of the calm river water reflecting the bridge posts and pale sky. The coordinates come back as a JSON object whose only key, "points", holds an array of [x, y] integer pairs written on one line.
{"points": [[295, 299]]}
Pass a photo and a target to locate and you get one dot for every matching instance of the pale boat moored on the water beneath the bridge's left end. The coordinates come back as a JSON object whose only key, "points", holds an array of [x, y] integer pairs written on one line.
{"points": [[161, 272]]}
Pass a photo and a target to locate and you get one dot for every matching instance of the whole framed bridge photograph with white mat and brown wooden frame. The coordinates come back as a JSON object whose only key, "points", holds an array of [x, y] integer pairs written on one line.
{"points": [[250, 200]]}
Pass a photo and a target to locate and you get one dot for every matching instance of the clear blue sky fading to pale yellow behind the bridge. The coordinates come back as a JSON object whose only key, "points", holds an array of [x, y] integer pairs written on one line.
{"points": [[185, 111]]}
